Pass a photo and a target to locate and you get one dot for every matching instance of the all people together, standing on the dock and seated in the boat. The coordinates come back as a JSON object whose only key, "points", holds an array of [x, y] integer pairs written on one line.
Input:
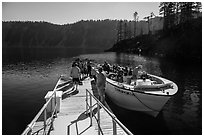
{"points": [[82, 69]]}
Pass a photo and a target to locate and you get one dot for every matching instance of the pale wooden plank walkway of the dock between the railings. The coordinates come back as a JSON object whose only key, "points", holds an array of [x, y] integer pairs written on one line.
{"points": [[72, 114]]}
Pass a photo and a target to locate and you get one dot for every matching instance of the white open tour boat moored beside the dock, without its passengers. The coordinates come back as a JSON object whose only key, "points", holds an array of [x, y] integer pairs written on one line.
{"points": [[143, 95]]}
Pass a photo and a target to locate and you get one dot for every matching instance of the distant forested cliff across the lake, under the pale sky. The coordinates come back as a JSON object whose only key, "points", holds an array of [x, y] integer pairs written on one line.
{"points": [[99, 35]]}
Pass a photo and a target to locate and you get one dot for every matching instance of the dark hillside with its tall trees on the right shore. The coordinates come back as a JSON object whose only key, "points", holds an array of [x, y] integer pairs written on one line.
{"points": [[180, 38]]}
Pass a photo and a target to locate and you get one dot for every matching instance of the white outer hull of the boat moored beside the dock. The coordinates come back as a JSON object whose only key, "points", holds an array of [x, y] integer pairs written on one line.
{"points": [[150, 103]]}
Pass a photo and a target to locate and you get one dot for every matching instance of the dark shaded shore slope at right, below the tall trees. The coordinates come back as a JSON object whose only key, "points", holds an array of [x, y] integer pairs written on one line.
{"points": [[183, 42]]}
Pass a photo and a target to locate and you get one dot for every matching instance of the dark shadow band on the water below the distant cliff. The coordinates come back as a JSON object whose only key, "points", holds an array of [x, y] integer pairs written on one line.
{"points": [[13, 55]]}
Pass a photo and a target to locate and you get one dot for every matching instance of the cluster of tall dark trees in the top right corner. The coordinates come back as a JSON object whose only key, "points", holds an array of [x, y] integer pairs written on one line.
{"points": [[175, 13]]}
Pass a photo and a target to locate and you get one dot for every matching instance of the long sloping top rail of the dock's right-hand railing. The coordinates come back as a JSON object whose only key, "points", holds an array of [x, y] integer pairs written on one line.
{"points": [[114, 118]]}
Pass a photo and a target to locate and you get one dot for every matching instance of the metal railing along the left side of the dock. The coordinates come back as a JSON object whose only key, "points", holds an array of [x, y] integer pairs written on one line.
{"points": [[47, 122]]}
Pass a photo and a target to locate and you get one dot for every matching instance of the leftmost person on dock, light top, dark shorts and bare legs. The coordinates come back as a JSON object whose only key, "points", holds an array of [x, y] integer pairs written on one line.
{"points": [[75, 74]]}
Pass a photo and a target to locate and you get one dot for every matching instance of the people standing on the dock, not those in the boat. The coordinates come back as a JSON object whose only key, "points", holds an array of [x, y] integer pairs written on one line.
{"points": [[82, 69]]}
